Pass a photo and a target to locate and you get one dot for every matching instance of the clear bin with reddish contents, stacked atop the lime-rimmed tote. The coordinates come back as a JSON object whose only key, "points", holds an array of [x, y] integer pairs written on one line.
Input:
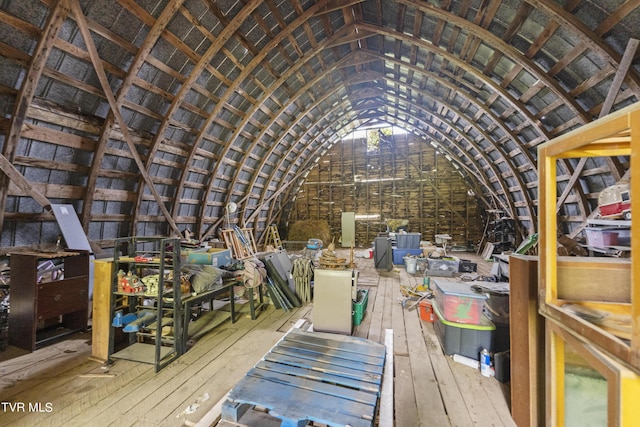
{"points": [[458, 302]]}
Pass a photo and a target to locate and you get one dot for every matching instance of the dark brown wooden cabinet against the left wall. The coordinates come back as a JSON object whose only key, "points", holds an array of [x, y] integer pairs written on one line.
{"points": [[49, 297]]}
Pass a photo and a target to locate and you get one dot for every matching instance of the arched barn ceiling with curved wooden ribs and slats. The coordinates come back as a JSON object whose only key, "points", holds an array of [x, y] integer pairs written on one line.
{"points": [[150, 116]]}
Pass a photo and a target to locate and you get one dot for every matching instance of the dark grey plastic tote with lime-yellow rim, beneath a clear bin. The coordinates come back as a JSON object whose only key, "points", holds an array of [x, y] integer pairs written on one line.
{"points": [[462, 338]]}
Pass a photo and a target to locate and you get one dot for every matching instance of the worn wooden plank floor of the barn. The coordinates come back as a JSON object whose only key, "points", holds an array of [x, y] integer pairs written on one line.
{"points": [[60, 386]]}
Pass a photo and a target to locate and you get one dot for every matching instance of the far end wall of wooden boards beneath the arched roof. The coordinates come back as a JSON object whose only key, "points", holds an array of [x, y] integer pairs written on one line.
{"points": [[405, 179]]}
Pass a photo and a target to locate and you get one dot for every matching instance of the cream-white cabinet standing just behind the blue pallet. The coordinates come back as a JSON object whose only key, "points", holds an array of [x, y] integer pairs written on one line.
{"points": [[333, 293]]}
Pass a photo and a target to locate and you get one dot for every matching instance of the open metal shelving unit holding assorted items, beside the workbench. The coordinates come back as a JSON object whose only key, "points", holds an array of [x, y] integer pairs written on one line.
{"points": [[151, 319]]}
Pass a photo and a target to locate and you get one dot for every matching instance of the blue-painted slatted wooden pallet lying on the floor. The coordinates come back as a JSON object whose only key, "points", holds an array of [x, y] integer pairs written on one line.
{"points": [[313, 377]]}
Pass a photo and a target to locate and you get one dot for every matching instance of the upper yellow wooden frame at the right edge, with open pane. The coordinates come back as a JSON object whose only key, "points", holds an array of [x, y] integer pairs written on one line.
{"points": [[615, 135]]}
